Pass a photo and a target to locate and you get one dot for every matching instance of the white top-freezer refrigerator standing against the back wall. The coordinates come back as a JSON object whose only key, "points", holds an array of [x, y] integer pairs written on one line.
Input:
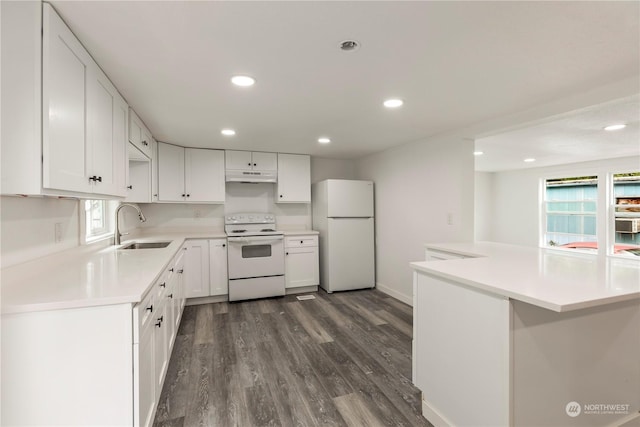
{"points": [[343, 214]]}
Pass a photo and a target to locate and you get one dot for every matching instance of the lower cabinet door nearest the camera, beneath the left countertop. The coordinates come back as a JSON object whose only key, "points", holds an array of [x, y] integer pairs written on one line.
{"points": [[145, 379]]}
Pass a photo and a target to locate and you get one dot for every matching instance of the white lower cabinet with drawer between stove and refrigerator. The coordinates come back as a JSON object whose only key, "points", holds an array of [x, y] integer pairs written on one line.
{"points": [[301, 261]]}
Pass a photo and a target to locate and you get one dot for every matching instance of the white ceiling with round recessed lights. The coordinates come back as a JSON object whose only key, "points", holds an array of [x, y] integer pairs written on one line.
{"points": [[453, 63]]}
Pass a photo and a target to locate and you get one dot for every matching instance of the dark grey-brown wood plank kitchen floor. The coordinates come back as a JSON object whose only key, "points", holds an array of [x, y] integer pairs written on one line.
{"points": [[341, 359]]}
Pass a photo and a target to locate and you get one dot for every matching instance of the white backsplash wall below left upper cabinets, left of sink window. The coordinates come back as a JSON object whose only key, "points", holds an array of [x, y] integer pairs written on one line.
{"points": [[28, 227]]}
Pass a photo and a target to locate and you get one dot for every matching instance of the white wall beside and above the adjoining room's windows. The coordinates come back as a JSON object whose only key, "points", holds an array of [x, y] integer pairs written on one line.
{"points": [[516, 212]]}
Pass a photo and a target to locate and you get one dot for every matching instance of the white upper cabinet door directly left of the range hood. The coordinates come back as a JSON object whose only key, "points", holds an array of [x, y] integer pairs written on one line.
{"points": [[204, 175]]}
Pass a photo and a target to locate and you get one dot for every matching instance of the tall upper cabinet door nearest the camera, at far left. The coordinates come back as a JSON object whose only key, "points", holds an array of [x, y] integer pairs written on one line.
{"points": [[65, 64]]}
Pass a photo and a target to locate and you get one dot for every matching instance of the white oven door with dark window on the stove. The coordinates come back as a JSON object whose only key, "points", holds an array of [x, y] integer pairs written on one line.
{"points": [[255, 256]]}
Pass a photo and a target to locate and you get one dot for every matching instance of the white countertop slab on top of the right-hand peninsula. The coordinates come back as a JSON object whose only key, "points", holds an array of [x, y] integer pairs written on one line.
{"points": [[555, 280]]}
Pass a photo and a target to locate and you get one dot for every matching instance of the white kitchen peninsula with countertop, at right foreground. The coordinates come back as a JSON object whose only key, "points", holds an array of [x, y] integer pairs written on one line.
{"points": [[511, 335]]}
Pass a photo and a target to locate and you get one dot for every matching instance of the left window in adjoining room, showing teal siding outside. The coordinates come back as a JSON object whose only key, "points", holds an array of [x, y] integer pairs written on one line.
{"points": [[570, 212]]}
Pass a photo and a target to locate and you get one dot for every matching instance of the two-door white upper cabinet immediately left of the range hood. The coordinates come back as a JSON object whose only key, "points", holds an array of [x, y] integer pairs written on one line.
{"points": [[190, 174]]}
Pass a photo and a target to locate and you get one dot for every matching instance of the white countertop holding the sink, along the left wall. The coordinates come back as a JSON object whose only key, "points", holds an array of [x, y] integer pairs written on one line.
{"points": [[92, 275]]}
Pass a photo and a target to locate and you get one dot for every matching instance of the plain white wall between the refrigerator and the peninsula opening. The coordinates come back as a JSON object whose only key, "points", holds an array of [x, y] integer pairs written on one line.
{"points": [[416, 187]]}
